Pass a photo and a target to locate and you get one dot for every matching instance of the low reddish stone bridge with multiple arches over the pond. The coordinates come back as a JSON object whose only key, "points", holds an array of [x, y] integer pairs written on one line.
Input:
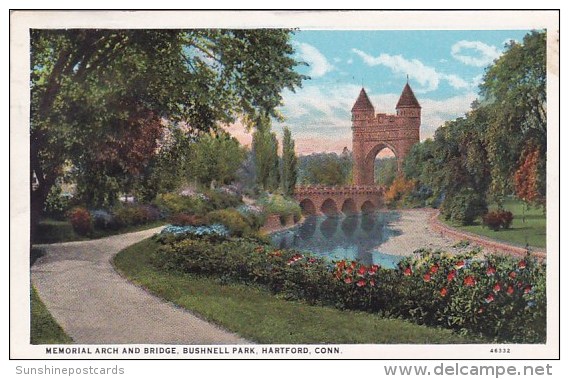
{"points": [[333, 200]]}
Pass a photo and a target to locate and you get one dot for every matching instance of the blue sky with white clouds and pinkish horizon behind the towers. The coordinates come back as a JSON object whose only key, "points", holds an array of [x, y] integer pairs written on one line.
{"points": [[444, 68]]}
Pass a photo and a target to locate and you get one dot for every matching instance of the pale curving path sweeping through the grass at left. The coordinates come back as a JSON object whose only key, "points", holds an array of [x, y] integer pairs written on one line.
{"points": [[95, 305]]}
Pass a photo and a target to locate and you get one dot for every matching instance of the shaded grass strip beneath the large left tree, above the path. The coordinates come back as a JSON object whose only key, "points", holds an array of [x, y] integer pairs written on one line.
{"points": [[53, 231]]}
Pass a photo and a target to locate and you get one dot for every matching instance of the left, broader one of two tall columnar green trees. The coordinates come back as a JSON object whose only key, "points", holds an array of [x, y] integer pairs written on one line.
{"points": [[265, 151]]}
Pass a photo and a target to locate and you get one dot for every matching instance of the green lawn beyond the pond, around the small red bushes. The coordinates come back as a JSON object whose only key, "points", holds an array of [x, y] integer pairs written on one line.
{"points": [[528, 226]]}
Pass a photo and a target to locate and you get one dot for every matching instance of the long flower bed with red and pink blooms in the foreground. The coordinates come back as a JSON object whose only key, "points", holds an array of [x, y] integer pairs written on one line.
{"points": [[500, 298]]}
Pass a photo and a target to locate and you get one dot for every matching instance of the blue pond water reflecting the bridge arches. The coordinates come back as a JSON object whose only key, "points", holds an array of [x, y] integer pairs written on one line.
{"points": [[343, 237]]}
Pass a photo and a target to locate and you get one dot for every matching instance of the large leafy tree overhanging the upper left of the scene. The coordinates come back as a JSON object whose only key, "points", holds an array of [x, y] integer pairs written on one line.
{"points": [[84, 83]]}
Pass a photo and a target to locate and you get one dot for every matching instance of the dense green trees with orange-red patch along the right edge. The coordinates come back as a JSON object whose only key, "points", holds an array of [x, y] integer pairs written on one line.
{"points": [[498, 148]]}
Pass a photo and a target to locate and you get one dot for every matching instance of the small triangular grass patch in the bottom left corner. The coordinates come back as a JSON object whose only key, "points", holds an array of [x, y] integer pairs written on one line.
{"points": [[44, 329]]}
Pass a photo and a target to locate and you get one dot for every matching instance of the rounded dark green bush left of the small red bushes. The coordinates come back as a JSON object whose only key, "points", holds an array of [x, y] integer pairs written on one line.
{"points": [[464, 207]]}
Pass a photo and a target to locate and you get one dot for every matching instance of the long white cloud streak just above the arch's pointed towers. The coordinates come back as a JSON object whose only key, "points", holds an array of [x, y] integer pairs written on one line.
{"points": [[427, 76]]}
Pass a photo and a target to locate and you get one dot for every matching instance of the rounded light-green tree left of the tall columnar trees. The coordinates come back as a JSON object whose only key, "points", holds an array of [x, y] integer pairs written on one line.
{"points": [[215, 159]]}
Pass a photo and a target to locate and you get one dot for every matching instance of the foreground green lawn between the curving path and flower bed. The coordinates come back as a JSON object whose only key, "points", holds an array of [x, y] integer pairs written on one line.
{"points": [[264, 318]]}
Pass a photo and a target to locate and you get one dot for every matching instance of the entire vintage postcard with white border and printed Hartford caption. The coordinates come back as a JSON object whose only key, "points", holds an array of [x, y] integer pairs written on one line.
{"points": [[284, 185]]}
